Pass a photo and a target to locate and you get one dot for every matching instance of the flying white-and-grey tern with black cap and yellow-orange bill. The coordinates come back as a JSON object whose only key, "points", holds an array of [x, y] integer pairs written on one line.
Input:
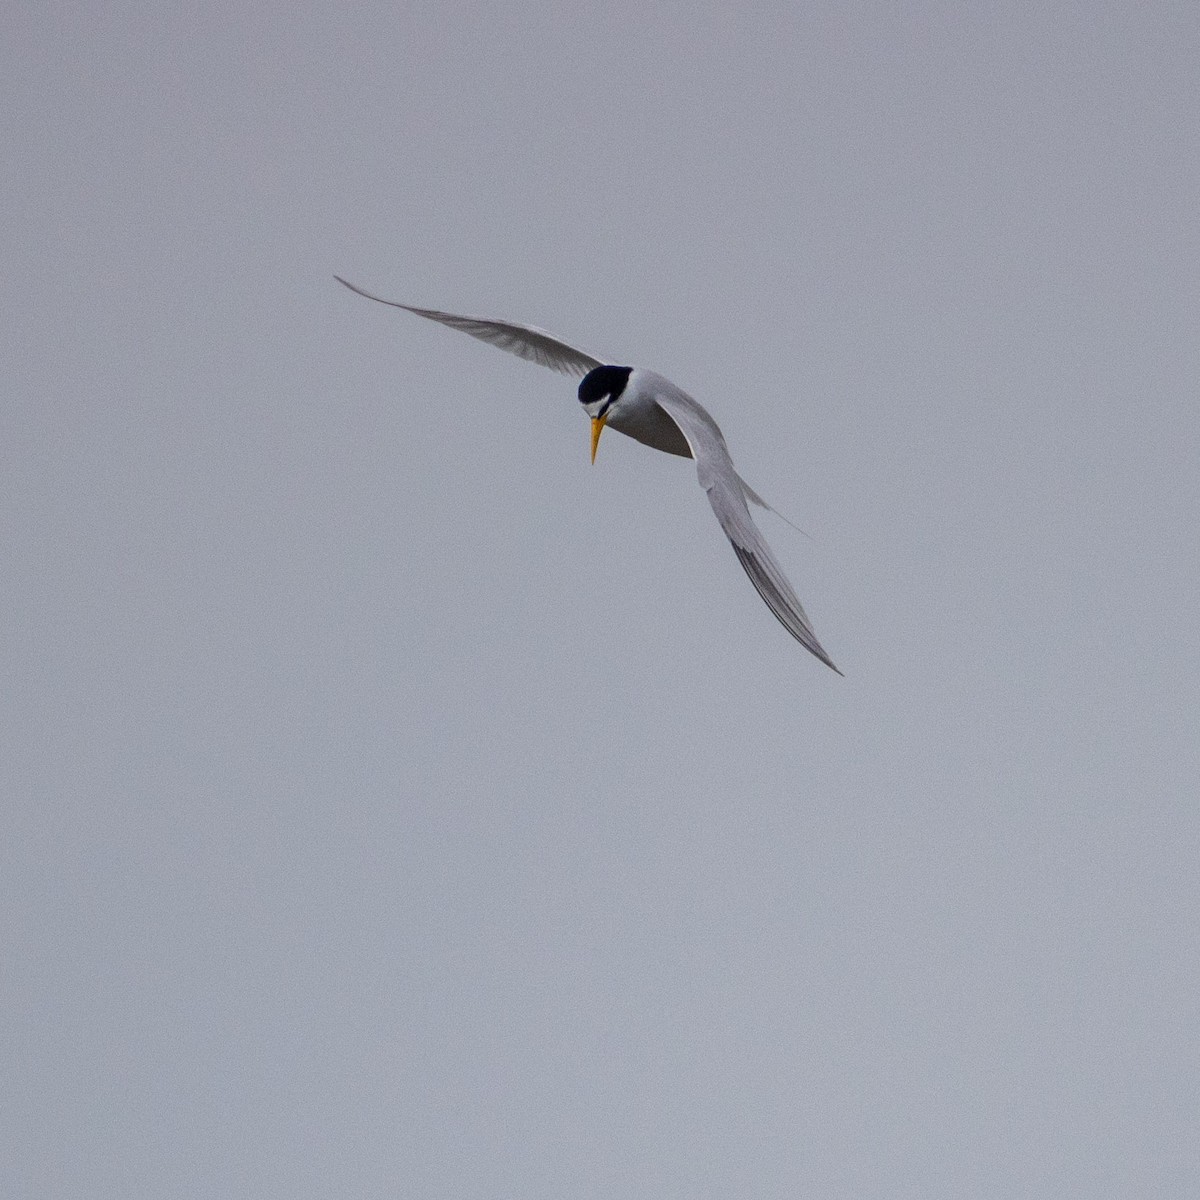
{"points": [[653, 411]]}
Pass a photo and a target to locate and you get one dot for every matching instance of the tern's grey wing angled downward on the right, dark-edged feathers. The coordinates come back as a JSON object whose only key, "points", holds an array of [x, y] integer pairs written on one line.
{"points": [[728, 495]]}
